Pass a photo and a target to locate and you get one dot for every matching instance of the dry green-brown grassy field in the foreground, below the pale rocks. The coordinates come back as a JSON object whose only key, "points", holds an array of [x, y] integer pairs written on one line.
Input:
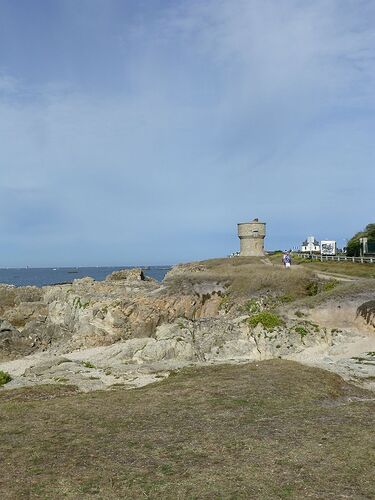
{"points": [[274, 429]]}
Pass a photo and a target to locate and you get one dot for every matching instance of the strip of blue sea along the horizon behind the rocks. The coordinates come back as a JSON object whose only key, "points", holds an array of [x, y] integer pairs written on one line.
{"points": [[41, 276]]}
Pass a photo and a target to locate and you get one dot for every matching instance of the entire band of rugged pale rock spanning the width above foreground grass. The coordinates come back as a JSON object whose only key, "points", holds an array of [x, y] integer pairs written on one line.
{"points": [[129, 330]]}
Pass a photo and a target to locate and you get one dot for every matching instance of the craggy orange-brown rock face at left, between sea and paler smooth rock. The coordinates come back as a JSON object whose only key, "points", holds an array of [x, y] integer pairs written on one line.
{"points": [[88, 313]]}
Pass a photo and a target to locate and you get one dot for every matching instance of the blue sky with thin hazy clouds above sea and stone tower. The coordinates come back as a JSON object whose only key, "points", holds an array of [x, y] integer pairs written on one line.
{"points": [[142, 131]]}
